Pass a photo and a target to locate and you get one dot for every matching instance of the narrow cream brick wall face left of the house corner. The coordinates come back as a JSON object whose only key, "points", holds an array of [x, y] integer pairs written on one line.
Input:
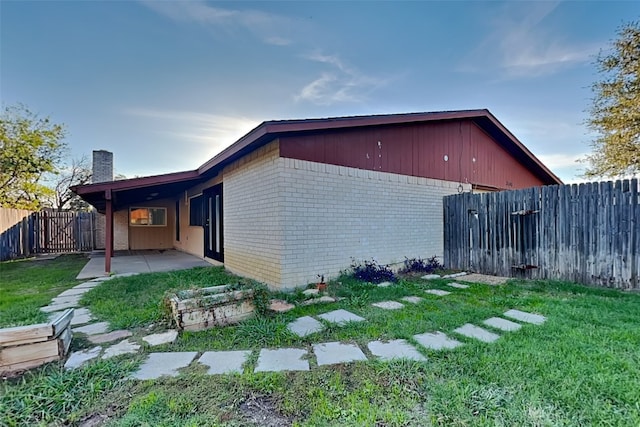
{"points": [[253, 216]]}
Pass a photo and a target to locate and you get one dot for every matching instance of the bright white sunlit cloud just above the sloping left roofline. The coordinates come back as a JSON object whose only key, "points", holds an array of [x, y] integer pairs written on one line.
{"points": [[211, 132]]}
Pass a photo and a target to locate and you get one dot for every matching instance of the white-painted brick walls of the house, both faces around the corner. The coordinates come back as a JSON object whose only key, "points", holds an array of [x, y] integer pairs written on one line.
{"points": [[285, 220]]}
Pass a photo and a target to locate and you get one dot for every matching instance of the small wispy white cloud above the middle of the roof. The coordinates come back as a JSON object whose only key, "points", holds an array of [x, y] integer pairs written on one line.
{"points": [[339, 83]]}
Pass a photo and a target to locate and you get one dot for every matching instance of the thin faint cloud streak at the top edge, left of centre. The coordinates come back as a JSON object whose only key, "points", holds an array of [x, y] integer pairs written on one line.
{"points": [[267, 27]]}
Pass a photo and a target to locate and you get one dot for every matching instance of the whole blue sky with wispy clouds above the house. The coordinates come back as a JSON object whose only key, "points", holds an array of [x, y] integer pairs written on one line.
{"points": [[165, 85]]}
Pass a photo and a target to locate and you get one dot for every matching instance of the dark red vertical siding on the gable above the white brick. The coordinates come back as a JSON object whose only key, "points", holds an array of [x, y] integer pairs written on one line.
{"points": [[416, 149]]}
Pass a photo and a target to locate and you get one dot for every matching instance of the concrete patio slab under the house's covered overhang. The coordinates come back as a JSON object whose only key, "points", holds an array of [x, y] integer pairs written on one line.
{"points": [[141, 262]]}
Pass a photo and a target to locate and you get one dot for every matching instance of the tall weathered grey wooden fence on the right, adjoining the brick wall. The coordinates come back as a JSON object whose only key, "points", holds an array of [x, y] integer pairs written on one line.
{"points": [[586, 233]]}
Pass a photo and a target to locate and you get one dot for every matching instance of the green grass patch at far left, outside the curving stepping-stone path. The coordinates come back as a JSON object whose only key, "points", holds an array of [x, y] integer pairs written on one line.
{"points": [[27, 285]]}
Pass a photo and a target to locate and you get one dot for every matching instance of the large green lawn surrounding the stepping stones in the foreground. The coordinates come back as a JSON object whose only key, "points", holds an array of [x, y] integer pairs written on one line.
{"points": [[581, 367]]}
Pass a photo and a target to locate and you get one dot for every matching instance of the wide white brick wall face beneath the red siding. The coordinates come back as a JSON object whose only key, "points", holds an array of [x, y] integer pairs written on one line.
{"points": [[332, 214]]}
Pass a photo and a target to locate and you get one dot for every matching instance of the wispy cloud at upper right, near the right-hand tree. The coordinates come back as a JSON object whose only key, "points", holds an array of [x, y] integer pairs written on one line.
{"points": [[522, 44]]}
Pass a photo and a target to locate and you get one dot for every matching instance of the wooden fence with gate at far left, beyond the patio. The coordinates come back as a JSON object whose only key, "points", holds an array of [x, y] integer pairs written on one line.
{"points": [[23, 233]]}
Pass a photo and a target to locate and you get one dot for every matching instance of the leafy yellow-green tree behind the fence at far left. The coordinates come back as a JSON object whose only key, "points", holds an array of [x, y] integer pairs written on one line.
{"points": [[30, 147]]}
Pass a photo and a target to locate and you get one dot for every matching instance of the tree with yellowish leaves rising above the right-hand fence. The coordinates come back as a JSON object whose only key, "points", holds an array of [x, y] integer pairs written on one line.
{"points": [[615, 111]]}
